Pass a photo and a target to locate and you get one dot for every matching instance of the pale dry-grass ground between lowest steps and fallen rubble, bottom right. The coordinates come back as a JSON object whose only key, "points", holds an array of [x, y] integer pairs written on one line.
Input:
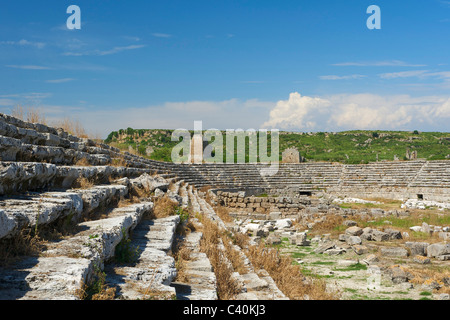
{"points": [[351, 278]]}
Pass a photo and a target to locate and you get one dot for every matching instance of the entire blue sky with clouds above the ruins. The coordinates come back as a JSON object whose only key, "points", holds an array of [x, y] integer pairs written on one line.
{"points": [[291, 65]]}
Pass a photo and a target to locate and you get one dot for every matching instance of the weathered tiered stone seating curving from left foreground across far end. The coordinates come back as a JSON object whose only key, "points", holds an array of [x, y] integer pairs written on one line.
{"points": [[40, 172]]}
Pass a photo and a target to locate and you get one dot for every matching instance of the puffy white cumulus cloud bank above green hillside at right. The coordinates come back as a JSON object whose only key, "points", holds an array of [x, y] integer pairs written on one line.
{"points": [[359, 111]]}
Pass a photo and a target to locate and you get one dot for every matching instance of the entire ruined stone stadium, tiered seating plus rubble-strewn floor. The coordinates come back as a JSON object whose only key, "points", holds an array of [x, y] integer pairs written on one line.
{"points": [[50, 179]]}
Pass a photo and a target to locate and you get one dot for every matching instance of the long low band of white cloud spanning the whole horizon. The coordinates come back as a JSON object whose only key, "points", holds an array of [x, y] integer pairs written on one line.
{"points": [[297, 113]]}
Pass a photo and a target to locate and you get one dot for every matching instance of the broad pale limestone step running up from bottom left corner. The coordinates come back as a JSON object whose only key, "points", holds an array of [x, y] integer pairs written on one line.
{"points": [[60, 271]]}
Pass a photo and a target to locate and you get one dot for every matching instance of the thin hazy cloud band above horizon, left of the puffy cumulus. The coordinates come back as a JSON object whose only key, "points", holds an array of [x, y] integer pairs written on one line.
{"points": [[226, 114]]}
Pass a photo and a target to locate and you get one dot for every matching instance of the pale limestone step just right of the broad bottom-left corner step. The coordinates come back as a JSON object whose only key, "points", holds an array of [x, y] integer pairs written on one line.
{"points": [[154, 270]]}
